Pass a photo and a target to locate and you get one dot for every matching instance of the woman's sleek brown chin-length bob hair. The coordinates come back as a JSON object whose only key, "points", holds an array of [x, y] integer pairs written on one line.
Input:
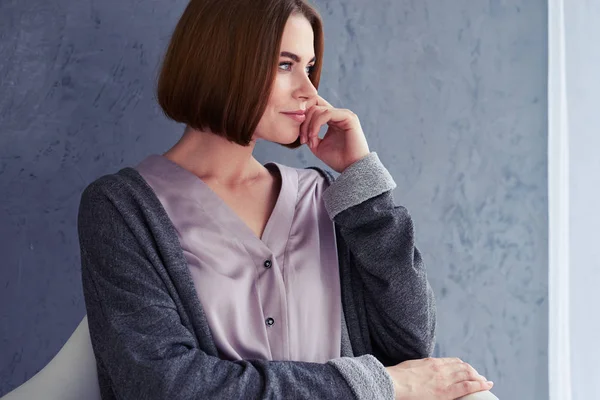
{"points": [[220, 65]]}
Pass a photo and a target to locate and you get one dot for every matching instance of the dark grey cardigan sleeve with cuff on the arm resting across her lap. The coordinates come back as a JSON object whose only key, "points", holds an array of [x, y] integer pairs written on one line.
{"points": [[146, 352]]}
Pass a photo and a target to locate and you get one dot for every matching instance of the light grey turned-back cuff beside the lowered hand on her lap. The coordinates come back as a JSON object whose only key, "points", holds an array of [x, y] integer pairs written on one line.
{"points": [[366, 376]]}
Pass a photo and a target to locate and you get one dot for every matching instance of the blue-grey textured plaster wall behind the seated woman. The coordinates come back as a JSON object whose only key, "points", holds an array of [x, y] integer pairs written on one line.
{"points": [[451, 95]]}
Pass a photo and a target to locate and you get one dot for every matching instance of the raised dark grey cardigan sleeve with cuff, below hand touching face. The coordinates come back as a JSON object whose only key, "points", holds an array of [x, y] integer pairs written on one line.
{"points": [[399, 303]]}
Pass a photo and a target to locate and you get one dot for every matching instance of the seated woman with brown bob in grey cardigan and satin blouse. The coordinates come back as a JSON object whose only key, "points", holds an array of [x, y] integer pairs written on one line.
{"points": [[209, 275]]}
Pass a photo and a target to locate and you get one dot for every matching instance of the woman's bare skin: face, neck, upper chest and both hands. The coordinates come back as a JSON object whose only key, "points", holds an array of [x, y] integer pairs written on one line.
{"points": [[251, 190]]}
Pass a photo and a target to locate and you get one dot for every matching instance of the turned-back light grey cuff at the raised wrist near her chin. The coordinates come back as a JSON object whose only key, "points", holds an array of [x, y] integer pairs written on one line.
{"points": [[364, 179]]}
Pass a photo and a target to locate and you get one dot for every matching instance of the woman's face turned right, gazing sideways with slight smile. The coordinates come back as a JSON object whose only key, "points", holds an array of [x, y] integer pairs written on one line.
{"points": [[292, 92]]}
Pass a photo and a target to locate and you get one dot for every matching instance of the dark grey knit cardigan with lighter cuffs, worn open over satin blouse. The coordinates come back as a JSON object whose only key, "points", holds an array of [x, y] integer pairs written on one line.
{"points": [[151, 339]]}
